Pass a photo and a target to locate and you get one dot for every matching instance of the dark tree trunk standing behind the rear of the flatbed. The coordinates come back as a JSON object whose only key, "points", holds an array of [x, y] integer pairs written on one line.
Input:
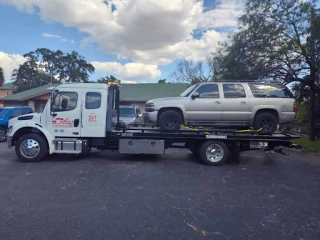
{"points": [[312, 107]]}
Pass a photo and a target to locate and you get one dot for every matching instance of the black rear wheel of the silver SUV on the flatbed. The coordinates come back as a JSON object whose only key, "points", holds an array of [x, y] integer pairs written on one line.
{"points": [[267, 121]]}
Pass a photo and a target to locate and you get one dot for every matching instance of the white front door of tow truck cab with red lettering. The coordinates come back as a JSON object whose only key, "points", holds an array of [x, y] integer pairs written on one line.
{"points": [[65, 119]]}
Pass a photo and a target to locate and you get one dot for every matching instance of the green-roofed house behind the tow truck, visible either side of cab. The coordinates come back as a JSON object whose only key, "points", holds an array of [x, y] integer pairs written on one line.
{"points": [[130, 95]]}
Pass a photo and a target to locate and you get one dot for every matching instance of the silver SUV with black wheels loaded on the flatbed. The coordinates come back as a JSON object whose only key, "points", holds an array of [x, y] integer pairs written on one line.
{"points": [[225, 104]]}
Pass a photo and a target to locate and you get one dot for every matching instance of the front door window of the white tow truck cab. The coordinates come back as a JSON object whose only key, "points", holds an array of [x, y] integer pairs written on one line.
{"points": [[65, 101]]}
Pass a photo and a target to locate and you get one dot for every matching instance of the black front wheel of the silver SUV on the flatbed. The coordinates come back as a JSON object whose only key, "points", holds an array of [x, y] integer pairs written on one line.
{"points": [[170, 120]]}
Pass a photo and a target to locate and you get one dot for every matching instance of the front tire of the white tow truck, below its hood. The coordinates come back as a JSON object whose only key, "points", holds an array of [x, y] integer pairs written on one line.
{"points": [[41, 144]]}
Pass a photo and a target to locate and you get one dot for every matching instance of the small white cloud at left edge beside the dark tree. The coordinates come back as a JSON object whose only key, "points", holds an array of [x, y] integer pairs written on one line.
{"points": [[9, 62]]}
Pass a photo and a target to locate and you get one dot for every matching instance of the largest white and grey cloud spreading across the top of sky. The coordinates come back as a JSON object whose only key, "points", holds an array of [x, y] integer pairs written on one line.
{"points": [[146, 31]]}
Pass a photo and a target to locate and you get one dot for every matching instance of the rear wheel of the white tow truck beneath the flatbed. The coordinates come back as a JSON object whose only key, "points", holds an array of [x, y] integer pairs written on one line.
{"points": [[222, 150]]}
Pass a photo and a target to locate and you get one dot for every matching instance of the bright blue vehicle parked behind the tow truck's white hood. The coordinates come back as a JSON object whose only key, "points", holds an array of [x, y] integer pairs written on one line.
{"points": [[6, 114]]}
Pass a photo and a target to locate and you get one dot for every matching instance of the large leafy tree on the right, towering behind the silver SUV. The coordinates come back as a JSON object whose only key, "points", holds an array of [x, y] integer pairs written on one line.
{"points": [[279, 40]]}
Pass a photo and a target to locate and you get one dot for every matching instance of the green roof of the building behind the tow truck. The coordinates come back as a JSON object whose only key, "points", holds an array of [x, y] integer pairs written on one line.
{"points": [[128, 92]]}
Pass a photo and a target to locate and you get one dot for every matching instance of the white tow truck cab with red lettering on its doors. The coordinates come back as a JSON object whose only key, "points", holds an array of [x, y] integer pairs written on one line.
{"points": [[74, 111]]}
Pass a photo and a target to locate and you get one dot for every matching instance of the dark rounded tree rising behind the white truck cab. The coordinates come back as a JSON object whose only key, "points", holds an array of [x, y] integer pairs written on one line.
{"points": [[44, 66]]}
